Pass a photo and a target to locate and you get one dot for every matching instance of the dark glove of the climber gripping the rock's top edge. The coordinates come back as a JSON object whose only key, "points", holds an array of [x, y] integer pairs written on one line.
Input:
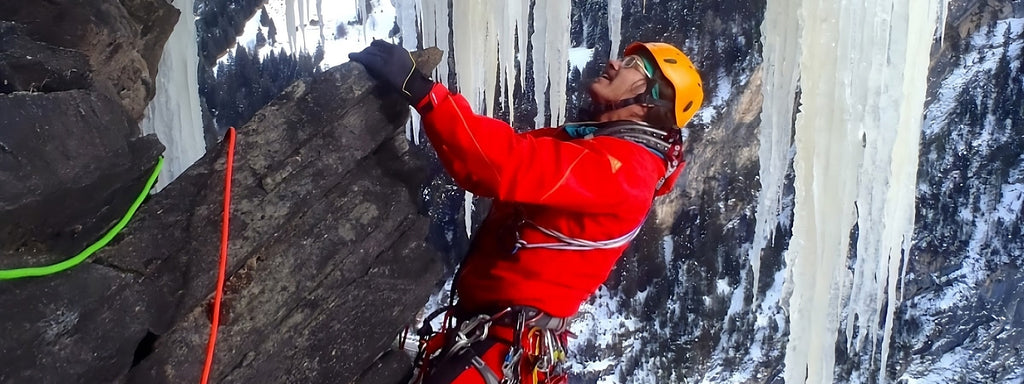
{"points": [[395, 66]]}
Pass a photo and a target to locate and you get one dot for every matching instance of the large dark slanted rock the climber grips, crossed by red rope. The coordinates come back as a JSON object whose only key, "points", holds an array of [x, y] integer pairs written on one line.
{"points": [[327, 259]]}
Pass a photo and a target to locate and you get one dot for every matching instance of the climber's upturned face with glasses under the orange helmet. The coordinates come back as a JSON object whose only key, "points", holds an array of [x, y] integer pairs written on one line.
{"points": [[621, 80]]}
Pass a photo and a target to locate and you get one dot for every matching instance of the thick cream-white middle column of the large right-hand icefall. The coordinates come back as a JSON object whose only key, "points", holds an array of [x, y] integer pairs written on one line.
{"points": [[828, 157]]}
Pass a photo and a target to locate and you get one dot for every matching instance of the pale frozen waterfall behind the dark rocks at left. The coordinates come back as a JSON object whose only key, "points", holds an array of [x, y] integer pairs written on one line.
{"points": [[175, 112]]}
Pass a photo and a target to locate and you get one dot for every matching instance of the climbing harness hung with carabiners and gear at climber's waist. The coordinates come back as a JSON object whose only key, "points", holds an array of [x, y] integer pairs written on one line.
{"points": [[537, 344]]}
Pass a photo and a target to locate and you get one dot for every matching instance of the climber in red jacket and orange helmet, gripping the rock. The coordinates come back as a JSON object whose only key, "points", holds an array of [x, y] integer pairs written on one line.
{"points": [[567, 202]]}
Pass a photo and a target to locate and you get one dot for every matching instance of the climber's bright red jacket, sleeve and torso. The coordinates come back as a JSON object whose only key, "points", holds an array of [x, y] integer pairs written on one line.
{"points": [[591, 189]]}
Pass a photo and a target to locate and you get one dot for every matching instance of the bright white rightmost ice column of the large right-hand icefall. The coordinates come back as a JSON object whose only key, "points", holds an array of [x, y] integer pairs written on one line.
{"points": [[889, 173]]}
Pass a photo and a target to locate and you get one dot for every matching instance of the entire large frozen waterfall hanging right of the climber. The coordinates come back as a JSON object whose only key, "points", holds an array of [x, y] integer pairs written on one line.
{"points": [[856, 161]]}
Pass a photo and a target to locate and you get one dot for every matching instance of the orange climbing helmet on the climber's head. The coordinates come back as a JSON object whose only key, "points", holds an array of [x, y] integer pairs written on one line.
{"points": [[679, 71]]}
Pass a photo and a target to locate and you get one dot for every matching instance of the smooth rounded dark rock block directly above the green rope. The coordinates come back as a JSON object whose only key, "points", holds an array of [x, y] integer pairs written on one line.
{"points": [[71, 163]]}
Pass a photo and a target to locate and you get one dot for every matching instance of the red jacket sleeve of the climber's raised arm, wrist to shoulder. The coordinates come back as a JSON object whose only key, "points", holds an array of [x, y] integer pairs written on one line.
{"points": [[488, 158]]}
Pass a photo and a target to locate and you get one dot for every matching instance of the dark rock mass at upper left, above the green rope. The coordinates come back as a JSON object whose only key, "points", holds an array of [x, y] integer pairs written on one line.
{"points": [[76, 76]]}
